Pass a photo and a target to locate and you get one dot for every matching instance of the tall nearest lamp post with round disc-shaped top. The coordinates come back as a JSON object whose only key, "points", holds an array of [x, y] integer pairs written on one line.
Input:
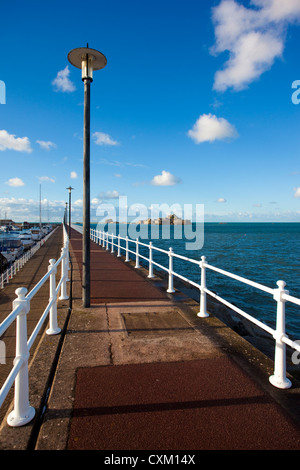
{"points": [[87, 60]]}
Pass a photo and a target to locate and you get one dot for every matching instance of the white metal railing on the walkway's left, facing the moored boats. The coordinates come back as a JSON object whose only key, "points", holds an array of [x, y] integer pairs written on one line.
{"points": [[23, 413]]}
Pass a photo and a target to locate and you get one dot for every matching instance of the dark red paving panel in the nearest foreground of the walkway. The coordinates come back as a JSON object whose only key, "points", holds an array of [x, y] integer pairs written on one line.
{"points": [[208, 404]]}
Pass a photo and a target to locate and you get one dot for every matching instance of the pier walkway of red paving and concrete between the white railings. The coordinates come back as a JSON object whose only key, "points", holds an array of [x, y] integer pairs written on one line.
{"points": [[138, 370]]}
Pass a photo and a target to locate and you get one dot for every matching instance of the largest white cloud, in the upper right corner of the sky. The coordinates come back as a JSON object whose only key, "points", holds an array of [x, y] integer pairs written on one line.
{"points": [[254, 38]]}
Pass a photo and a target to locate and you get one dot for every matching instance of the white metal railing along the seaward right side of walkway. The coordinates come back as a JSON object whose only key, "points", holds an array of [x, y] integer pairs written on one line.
{"points": [[279, 294]]}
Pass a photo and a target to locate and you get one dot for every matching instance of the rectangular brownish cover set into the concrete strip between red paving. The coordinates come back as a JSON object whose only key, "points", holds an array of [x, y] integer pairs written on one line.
{"points": [[155, 323]]}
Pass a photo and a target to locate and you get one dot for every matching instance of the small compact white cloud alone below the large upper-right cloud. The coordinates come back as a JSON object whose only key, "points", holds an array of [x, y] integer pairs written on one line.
{"points": [[209, 128]]}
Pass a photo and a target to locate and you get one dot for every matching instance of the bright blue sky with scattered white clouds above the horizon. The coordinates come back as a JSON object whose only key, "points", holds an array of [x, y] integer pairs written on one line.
{"points": [[199, 104]]}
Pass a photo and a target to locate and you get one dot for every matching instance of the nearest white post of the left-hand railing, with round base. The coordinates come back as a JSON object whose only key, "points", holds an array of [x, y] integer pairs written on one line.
{"points": [[22, 412]]}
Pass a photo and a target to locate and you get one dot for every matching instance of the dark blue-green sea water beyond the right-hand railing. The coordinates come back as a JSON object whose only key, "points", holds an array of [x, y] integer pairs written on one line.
{"points": [[261, 252]]}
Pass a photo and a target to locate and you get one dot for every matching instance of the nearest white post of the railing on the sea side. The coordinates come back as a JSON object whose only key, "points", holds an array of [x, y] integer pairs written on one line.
{"points": [[279, 379]]}
